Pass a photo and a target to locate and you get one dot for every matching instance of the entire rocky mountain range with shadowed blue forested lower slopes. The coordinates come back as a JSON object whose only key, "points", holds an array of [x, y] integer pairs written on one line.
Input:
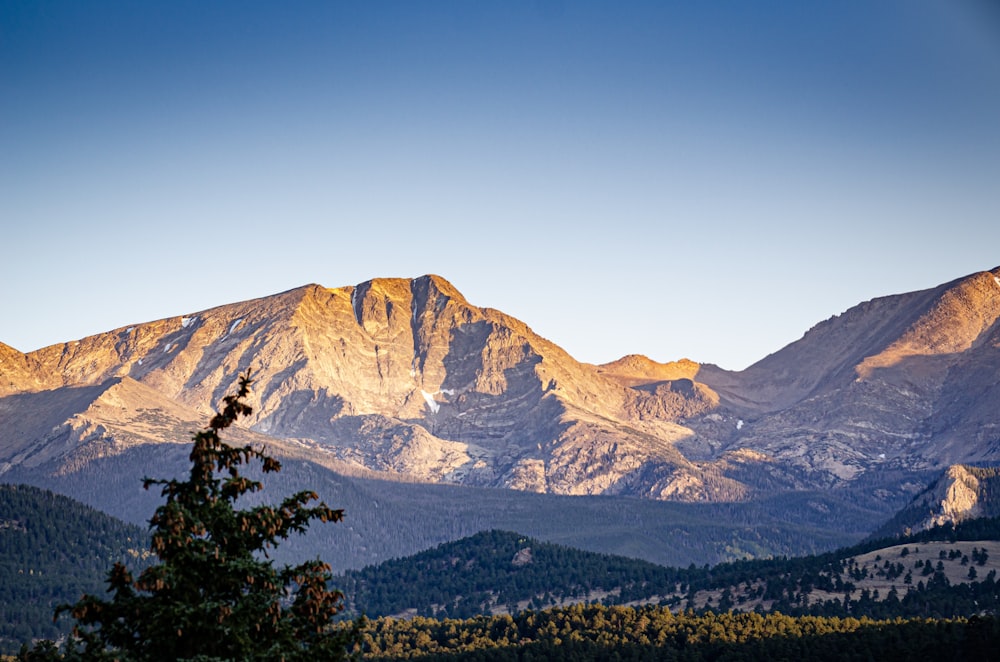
{"points": [[394, 393]]}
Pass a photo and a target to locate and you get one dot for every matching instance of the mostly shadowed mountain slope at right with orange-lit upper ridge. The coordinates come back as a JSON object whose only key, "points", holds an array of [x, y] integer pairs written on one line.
{"points": [[907, 381]]}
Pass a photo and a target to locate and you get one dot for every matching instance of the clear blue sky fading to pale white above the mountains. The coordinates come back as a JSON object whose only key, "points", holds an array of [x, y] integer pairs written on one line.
{"points": [[677, 179]]}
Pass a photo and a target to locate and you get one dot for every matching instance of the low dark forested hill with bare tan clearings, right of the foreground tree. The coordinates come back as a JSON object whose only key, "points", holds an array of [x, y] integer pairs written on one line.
{"points": [[944, 572]]}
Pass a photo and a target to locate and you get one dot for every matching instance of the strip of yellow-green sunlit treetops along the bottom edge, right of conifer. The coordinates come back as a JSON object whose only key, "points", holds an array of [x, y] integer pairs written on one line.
{"points": [[596, 632]]}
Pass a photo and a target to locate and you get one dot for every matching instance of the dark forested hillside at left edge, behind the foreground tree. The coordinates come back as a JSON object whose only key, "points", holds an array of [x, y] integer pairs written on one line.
{"points": [[52, 550]]}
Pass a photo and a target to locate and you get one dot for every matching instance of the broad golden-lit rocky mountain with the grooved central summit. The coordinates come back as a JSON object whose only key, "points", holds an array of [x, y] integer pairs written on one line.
{"points": [[396, 376]]}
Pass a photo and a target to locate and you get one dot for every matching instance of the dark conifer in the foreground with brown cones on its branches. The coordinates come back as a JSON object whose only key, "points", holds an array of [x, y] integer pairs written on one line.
{"points": [[214, 595]]}
